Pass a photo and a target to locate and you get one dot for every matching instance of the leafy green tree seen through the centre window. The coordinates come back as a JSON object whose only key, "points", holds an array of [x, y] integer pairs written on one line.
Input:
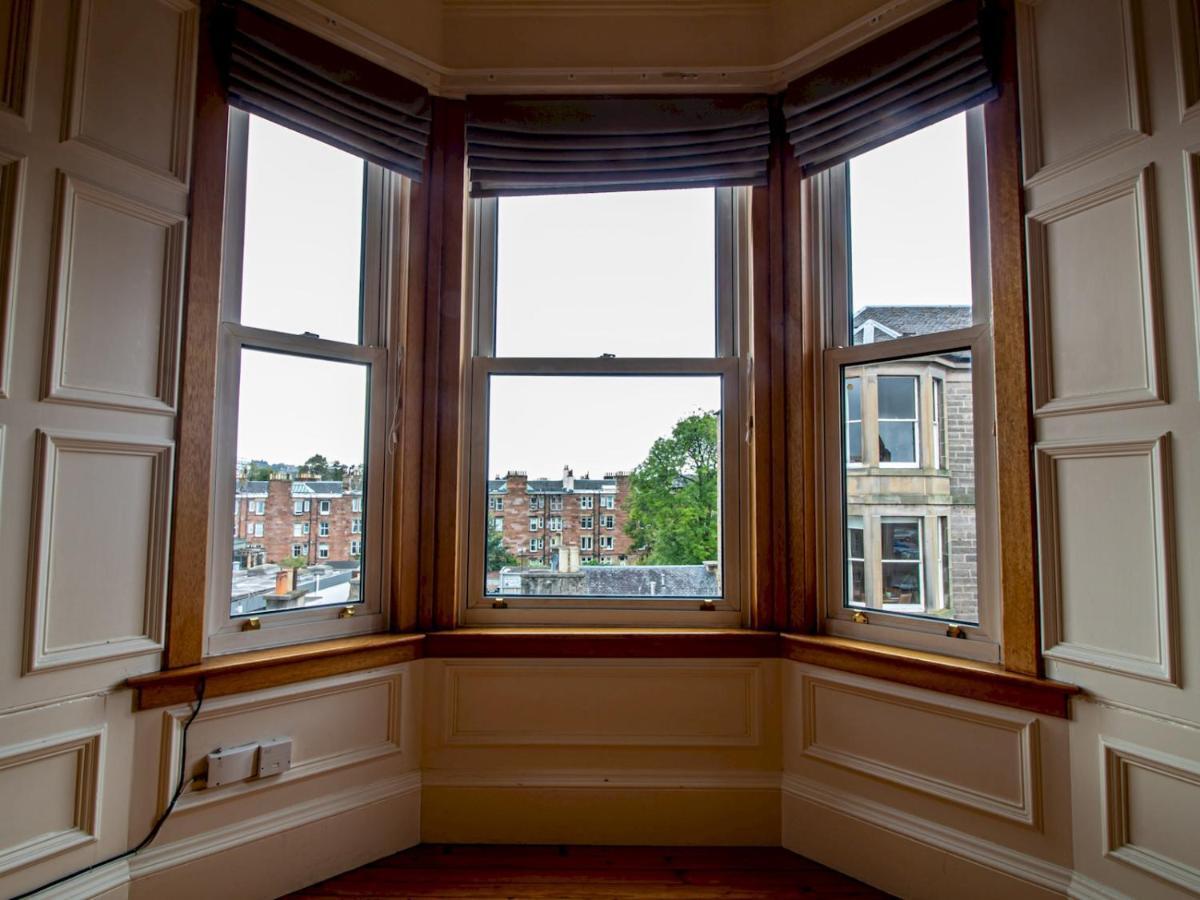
{"points": [[674, 507]]}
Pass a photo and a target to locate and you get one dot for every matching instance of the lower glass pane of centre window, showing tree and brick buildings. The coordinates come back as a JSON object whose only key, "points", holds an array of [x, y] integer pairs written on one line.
{"points": [[634, 464]]}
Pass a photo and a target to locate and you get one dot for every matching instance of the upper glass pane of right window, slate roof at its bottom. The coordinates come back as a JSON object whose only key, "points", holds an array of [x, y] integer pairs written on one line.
{"points": [[910, 231]]}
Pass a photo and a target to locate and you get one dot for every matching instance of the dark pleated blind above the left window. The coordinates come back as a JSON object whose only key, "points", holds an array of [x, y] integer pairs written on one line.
{"points": [[303, 82]]}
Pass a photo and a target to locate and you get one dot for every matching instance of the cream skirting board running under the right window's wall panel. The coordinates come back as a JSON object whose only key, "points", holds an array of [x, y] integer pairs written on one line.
{"points": [[863, 839]]}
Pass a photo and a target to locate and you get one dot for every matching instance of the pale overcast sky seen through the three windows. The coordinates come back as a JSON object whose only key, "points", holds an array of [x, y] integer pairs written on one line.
{"points": [[631, 274]]}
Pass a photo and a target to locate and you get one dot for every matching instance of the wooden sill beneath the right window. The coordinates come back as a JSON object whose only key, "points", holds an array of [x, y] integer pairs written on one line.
{"points": [[932, 671]]}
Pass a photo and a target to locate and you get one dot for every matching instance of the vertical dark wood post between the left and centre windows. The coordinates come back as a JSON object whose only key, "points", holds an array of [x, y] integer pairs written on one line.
{"points": [[441, 200]]}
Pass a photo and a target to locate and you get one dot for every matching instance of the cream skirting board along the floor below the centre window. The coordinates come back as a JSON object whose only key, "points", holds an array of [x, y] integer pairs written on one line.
{"points": [[578, 808]]}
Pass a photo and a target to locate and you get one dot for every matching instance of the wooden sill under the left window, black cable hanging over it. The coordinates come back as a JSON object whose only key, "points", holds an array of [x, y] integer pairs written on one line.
{"points": [[239, 674]]}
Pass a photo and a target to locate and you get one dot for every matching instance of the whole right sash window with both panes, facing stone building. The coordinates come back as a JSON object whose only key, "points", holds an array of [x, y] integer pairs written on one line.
{"points": [[910, 393]]}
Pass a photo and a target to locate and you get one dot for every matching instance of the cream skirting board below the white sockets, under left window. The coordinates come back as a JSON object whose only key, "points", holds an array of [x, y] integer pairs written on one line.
{"points": [[268, 855]]}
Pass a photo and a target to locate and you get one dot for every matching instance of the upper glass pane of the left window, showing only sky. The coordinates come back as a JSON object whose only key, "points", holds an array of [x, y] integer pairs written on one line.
{"points": [[303, 253]]}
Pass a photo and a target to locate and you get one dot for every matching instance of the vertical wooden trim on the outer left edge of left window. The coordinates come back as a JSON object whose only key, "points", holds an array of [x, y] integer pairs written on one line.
{"points": [[199, 363]]}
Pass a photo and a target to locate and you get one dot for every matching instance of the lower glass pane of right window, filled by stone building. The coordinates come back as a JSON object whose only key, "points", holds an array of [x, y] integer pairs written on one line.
{"points": [[914, 529]]}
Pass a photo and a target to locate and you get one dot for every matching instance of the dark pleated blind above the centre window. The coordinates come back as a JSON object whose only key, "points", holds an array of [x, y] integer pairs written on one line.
{"points": [[537, 146]]}
